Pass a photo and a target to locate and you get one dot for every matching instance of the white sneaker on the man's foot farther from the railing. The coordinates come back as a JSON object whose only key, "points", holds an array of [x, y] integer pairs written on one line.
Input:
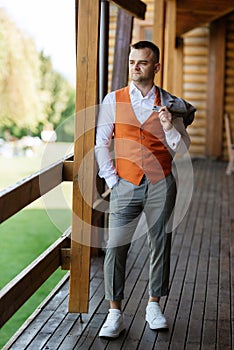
{"points": [[155, 317]]}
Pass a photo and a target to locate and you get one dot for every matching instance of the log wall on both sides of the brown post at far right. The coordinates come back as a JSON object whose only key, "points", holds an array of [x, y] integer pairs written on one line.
{"points": [[195, 80]]}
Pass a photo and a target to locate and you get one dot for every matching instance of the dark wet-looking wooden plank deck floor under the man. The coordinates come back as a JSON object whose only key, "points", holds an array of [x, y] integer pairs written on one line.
{"points": [[199, 307]]}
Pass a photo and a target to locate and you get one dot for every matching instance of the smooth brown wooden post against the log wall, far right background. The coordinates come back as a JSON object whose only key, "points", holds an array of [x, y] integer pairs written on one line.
{"points": [[215, 88]]}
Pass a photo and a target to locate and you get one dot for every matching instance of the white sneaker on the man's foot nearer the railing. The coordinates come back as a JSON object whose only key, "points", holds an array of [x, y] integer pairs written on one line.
{"points": [[113, 325]]}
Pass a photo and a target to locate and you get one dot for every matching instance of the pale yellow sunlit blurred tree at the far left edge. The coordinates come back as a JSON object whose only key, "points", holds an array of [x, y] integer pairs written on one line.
{"points": [[19, 77]]}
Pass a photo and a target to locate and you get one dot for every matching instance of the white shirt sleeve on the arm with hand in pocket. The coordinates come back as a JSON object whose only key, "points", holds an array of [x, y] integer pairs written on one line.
{"points": [[104, 133]]}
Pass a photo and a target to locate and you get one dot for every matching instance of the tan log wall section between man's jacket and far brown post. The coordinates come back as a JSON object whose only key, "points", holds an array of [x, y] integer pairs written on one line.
{"points": [[195, 77]]}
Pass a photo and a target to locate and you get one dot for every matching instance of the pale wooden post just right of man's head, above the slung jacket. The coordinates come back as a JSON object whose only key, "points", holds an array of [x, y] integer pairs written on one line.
{"points": [[169, 46]]}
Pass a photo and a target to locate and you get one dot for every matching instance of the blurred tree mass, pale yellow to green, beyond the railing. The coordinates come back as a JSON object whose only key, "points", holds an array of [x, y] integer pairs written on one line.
{"points": [[32, 93]]}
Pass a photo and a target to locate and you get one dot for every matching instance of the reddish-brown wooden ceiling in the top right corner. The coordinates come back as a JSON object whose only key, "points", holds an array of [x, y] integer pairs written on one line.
{"points": [[196, 13]]}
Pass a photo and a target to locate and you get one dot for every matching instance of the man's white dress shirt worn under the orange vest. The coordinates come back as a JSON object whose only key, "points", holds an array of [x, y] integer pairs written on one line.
{"points": [[177, 137]]}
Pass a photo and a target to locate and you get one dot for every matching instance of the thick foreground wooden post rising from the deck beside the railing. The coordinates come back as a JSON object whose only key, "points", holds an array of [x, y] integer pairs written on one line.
{"points": [[86, 99]]}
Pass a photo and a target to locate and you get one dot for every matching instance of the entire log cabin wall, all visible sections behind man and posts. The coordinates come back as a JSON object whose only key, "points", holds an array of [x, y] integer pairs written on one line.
{"points": [[195, 72]]}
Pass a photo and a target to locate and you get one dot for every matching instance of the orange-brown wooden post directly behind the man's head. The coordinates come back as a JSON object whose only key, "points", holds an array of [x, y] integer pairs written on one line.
{"points": [[158, 35]]}
